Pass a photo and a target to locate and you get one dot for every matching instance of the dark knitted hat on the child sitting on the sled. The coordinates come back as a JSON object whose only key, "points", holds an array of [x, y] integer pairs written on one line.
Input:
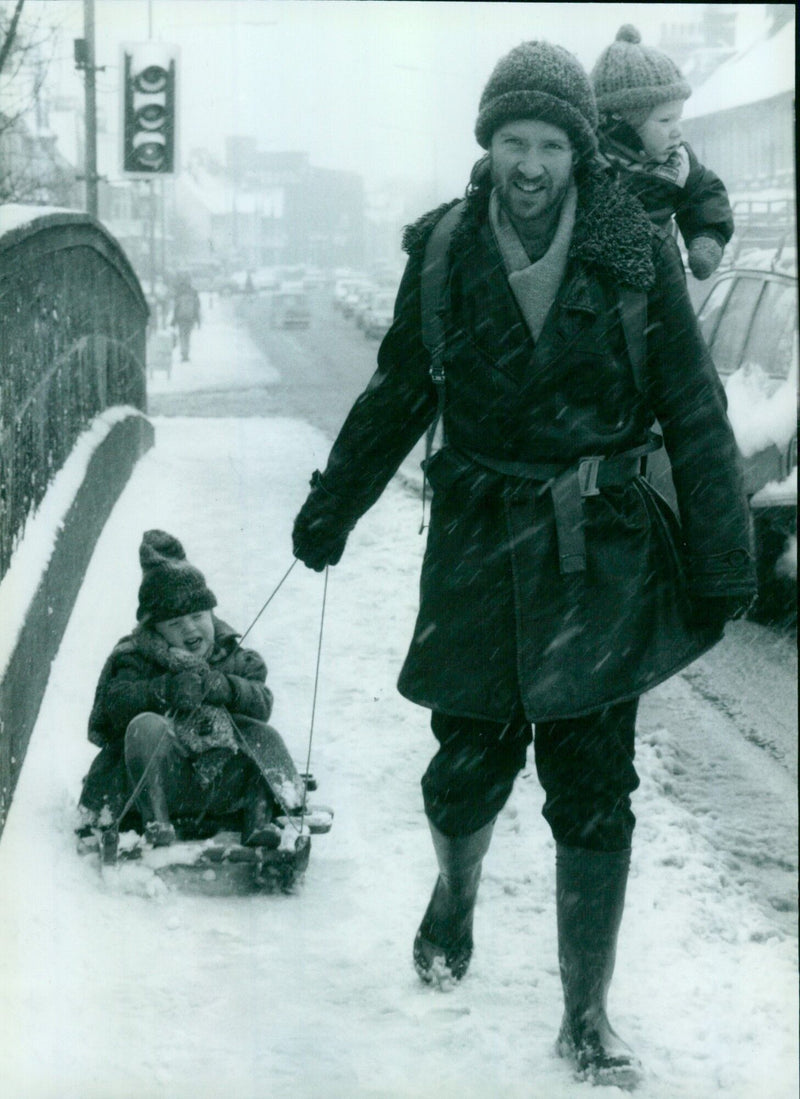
{"points": [[171, 586]]}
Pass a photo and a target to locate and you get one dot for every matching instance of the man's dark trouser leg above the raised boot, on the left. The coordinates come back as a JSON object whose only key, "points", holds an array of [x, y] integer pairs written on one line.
{"points": [[471, 779]]}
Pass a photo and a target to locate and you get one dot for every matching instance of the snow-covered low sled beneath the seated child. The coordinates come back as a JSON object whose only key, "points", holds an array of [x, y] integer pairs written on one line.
{"points": [[218, 865]]}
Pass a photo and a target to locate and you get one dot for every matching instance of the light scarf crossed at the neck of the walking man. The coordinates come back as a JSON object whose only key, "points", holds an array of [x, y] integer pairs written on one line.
{"points": [[535, 285]]}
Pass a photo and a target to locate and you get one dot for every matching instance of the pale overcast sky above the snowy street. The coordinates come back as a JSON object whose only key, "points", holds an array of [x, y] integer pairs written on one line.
{"points": [[379, 87]]}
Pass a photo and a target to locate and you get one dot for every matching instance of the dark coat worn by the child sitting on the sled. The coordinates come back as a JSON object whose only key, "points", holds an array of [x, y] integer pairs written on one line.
{"points": [[134, 682]]}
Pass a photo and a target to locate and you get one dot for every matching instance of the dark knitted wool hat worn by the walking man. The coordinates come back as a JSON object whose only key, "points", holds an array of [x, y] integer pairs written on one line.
{"points": [[541, 82]]}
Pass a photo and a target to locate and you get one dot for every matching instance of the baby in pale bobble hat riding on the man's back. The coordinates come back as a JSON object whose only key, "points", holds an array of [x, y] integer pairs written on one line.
{"points": [[640, 97]]}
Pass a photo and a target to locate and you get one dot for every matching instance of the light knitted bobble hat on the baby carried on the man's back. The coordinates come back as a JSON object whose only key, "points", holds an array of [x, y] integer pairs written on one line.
{"points": [[631, 79]]}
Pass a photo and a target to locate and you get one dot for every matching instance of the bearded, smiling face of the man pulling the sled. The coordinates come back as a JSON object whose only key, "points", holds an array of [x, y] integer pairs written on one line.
{"points": [[531, 168]]}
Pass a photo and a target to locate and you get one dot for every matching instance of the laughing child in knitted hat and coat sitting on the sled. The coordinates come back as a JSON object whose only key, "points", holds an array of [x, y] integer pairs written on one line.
{"points": [[181, 716]]}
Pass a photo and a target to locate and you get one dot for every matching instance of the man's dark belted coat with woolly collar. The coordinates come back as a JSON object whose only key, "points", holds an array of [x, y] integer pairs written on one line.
{"points": [[499, 623]]}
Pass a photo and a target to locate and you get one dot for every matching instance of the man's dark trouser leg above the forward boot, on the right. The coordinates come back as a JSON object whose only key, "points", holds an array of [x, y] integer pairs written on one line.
{"points": [[586, 769]]}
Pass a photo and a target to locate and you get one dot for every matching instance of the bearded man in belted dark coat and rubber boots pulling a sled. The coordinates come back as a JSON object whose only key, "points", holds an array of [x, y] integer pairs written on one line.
{"points": [[557, 586]]}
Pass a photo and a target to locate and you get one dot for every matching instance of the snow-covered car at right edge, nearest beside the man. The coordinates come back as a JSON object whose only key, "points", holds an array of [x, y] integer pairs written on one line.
{"points": [[750, 323]]}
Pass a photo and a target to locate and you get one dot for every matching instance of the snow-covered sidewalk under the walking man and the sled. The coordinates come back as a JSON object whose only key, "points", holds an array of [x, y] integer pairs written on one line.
{"points": [[110, 994]]}
